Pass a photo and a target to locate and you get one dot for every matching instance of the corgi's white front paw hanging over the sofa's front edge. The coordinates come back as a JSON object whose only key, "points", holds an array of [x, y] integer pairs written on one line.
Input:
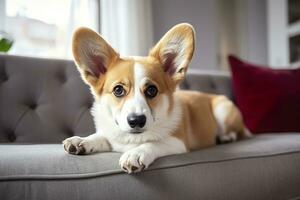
{"points": [[135, 160]]}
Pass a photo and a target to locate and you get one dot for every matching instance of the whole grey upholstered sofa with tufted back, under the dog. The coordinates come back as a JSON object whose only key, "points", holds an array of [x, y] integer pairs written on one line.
{"points": [[43, 101]]}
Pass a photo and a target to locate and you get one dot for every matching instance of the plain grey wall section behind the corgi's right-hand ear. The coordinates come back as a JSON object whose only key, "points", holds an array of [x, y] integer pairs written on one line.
{"points": [[202, 14]]}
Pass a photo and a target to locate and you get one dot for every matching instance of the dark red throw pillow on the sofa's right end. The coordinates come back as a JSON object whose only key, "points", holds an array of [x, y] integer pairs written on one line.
{"points": [[269, 99]]}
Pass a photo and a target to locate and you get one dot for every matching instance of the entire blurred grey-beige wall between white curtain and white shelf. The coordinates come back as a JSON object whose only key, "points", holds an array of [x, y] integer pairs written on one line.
{"points": [[223, 27]]}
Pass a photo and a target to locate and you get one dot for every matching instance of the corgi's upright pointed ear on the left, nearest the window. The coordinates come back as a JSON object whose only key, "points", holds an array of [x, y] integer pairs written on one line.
{"points": [[92, 54]]}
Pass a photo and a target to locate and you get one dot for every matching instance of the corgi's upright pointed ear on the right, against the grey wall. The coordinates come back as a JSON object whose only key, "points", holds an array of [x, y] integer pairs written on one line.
{"points": [[175, 50]]}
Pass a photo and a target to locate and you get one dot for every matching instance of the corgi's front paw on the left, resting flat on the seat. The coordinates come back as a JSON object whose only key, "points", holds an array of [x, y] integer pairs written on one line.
{"points": [[77, 145]]}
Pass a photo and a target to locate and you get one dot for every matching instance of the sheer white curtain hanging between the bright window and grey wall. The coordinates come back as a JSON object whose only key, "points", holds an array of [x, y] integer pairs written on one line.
{"points": [[127, 25]]}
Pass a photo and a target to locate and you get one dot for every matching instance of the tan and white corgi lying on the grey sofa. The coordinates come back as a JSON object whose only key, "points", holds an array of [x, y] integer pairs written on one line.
{"points": [[139, 111]]}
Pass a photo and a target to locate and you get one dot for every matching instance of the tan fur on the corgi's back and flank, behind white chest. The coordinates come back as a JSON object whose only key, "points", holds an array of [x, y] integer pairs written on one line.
{"points": [[199, 126]]}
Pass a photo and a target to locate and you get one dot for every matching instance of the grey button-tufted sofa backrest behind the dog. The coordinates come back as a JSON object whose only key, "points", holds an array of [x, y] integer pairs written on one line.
{"points": [[45, 100]]}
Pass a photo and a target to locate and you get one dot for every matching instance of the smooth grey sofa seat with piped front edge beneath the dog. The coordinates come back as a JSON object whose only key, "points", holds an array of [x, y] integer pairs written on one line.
{"points": [[265, 166]]}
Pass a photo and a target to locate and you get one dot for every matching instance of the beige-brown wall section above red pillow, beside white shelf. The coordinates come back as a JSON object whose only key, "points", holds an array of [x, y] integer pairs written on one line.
{"points": [[243, 30]]}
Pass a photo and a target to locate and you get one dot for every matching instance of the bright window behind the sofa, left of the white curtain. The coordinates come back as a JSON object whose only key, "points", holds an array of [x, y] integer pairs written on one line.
{"points": [[44, 28]]}
